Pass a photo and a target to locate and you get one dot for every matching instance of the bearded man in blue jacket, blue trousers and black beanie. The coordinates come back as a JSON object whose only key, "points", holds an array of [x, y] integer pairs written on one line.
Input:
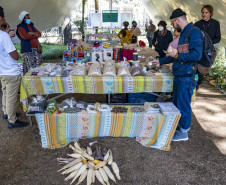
{"points": [[184, 69]]}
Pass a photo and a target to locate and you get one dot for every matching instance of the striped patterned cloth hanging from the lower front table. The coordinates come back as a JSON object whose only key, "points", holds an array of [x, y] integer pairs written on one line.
{"points": [[150, 129]]}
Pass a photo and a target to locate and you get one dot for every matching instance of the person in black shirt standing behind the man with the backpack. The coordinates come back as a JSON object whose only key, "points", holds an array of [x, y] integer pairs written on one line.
{"points": [[210, 26]]}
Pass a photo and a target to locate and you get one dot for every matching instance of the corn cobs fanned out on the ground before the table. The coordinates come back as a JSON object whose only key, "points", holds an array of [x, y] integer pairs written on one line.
{"points": [[86, 163]]}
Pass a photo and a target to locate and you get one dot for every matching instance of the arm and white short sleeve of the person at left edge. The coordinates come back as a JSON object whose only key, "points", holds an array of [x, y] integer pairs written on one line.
{"points": [[9, 47]]}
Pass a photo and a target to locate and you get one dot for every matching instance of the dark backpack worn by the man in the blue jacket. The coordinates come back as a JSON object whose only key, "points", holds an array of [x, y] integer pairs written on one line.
{"points": [[208, 55]]}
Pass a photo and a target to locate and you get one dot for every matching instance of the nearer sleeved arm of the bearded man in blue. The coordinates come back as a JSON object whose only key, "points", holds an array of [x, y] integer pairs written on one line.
{"points": [[195, 47]]}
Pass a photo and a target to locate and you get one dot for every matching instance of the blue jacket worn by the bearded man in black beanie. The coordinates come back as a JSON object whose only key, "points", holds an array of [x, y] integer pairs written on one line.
{"points": [[184, 65]]}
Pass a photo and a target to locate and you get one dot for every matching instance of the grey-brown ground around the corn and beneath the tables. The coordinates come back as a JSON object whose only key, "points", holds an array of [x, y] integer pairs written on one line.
{"points": [[200, 160]]}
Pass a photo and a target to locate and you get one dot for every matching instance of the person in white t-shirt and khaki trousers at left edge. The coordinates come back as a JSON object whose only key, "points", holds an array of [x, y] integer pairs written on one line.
{"points": [[10, 77]]}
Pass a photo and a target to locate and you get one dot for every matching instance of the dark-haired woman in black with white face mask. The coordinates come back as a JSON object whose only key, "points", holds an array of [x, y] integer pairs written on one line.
{"points": [[162, 38]]}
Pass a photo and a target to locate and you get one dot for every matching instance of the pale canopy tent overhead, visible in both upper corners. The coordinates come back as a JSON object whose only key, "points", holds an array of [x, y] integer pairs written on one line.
{"points": [[49, 13]]}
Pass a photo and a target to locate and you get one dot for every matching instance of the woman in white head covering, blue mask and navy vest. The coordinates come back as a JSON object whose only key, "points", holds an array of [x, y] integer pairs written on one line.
{"points": [[30, 46]]}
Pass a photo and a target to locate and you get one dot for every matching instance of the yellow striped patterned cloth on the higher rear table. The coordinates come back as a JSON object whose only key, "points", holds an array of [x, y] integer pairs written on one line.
{"points": [[34, 85]]}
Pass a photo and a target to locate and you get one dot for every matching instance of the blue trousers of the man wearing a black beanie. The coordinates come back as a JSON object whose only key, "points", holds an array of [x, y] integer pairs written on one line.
{"points": [[182, 93]]}
